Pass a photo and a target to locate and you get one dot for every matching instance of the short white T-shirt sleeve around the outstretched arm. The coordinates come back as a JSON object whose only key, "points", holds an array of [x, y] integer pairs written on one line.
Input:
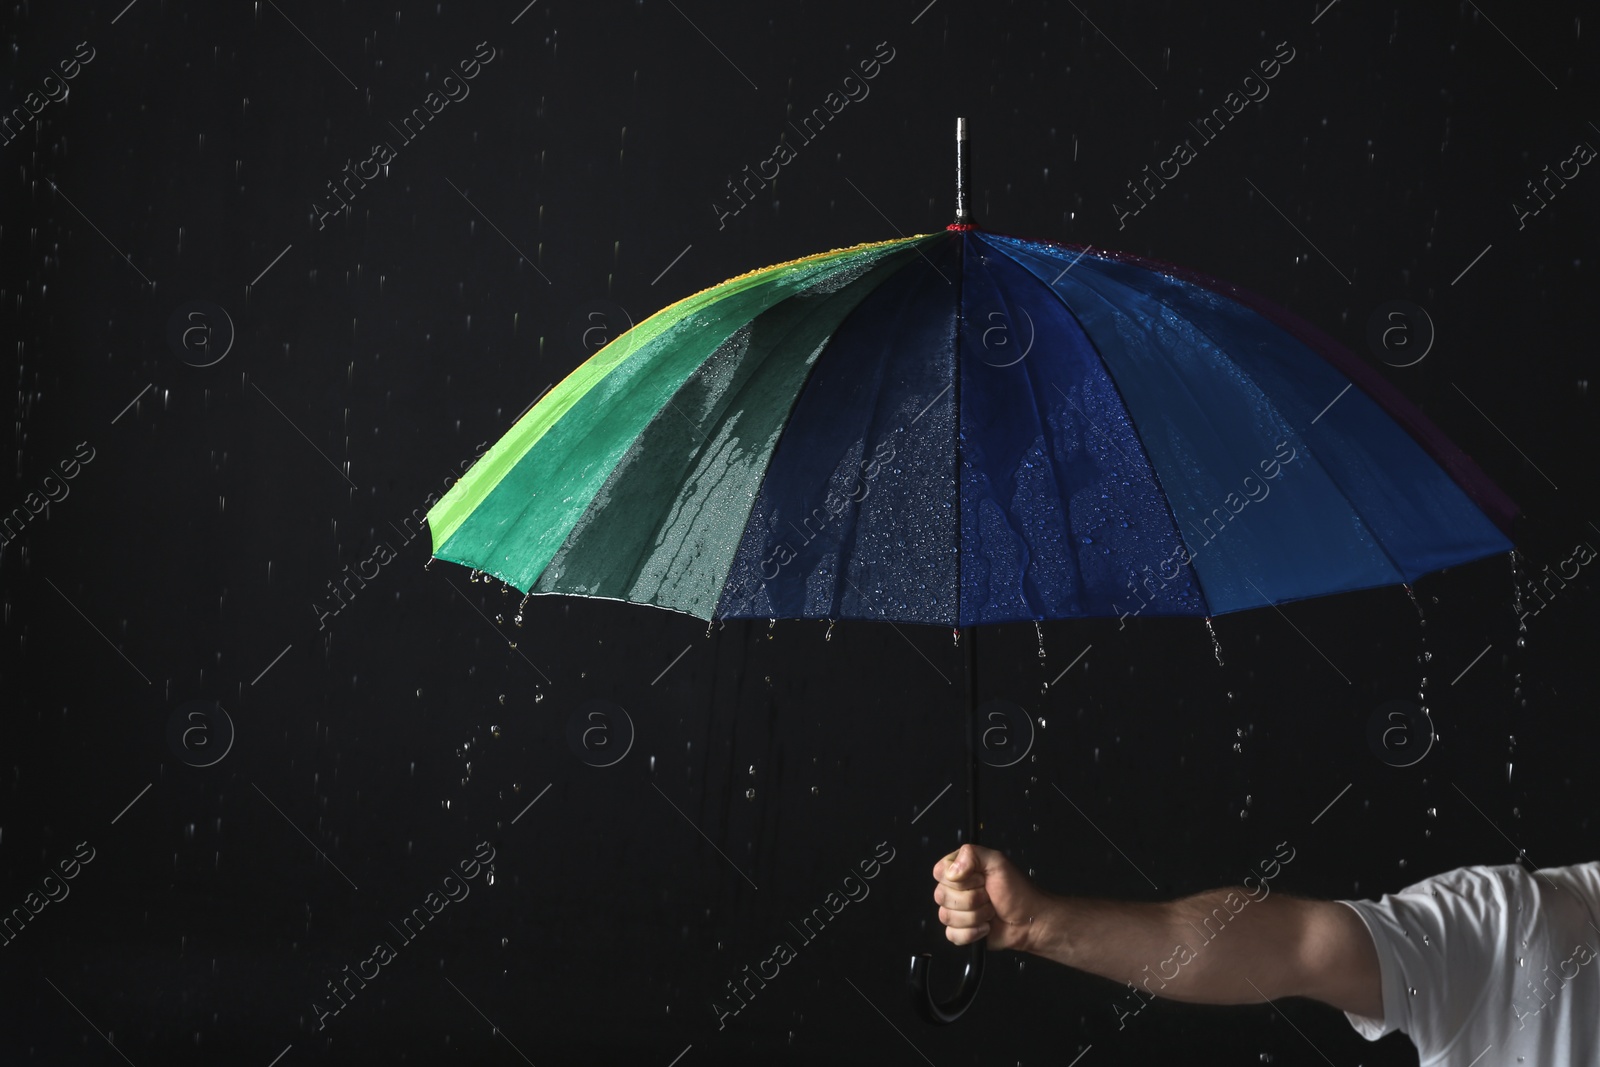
{"points": [[1441, 946]]}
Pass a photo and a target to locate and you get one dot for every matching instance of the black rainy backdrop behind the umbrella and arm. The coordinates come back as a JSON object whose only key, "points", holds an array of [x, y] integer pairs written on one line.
{"points": [[374, 356]]}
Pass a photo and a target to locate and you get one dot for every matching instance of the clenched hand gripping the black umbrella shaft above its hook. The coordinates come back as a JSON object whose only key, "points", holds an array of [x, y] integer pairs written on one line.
{"points": [[982, 895]]}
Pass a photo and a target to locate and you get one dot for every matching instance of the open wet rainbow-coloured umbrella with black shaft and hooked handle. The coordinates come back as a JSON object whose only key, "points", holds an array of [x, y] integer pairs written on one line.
{"points": [[961, 430]]}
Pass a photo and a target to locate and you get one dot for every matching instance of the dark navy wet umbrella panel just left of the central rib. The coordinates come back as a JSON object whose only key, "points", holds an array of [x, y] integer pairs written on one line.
{"points": [[855, 518]]}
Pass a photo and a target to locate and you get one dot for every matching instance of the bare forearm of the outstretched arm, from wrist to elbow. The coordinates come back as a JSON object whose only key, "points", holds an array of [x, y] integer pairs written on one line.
{"points": [[1217, 948]]}
